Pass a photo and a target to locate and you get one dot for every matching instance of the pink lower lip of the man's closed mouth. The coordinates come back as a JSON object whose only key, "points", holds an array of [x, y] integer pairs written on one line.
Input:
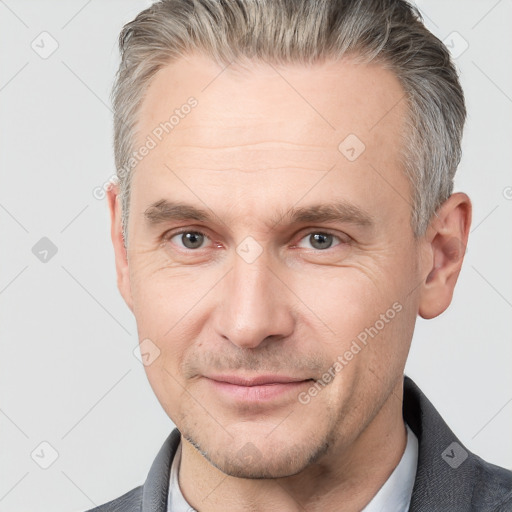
{"points": [[260, 393]]}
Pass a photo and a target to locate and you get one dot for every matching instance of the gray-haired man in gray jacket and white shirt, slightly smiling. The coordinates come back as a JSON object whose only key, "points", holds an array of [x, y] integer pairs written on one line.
{"points": [[284, 212]]}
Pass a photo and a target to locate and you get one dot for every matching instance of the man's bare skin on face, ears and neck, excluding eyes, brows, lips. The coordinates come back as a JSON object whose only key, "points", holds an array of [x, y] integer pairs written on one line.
{"points": [[293, 310]]}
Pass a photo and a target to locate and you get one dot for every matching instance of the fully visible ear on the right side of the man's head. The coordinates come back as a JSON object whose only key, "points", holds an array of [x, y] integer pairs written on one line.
{"points": [[447, 239]]}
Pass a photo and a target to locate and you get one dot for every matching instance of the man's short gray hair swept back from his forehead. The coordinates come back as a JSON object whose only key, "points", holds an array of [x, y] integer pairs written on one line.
{"points": [[389, 32]]}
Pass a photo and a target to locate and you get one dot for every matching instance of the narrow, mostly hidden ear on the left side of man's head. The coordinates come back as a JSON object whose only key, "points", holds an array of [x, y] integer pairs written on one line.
{"points": [[121, 256]]}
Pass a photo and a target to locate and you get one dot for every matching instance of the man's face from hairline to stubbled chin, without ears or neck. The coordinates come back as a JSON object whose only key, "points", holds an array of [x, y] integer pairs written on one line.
{"points": [[262, 286]]}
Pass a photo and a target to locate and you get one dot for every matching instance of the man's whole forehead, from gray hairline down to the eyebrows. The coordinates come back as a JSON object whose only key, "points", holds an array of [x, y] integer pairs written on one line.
{"points": [[279, 127]]}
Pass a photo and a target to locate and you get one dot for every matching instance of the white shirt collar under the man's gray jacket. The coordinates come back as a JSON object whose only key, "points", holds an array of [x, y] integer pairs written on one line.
{"points": [[395, 493]]}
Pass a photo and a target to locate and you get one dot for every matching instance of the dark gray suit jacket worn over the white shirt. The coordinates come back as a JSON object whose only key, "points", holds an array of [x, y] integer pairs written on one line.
{"points": [[449, 478]]}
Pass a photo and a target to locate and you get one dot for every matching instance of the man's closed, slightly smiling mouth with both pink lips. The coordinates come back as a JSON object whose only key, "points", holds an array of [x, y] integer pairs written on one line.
{"points": [[260, 388]]}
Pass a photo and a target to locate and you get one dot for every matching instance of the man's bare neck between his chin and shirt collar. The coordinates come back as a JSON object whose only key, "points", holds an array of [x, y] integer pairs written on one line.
{"points": [[346, 475]]}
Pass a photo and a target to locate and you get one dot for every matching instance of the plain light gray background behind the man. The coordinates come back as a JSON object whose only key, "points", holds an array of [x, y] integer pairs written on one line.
{"points": [[68, 374]]}
